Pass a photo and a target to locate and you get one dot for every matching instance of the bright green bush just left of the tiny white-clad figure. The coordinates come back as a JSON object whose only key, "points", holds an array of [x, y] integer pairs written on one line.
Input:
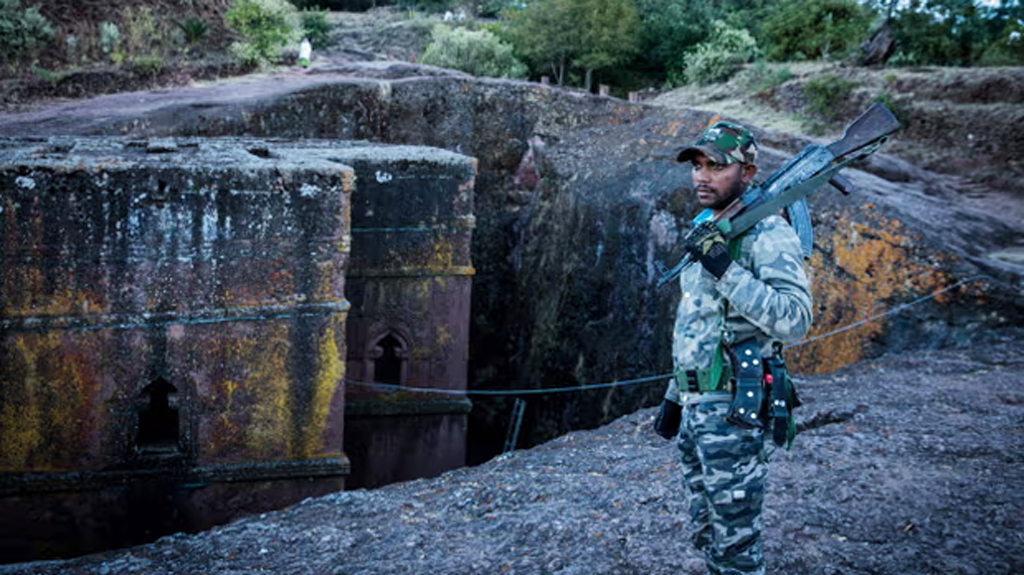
{"points": [[267, 27]]}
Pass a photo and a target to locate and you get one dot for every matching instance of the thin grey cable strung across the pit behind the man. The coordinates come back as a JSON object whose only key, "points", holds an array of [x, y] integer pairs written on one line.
{"points": [[898, 309]]}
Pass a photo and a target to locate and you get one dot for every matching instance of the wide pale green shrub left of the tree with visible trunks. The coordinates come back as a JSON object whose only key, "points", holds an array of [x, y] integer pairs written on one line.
{"points": [[478, 53]]}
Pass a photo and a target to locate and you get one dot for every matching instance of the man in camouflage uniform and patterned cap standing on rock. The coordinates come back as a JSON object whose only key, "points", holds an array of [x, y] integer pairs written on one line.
{"points": [[750, 294]]}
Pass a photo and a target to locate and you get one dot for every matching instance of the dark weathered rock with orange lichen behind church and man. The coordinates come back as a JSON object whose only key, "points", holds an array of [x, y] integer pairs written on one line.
{"points": [[579, 199]]}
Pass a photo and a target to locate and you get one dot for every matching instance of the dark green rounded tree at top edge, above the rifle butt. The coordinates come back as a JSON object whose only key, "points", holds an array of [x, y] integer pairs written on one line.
{"points": [[816, 29]]}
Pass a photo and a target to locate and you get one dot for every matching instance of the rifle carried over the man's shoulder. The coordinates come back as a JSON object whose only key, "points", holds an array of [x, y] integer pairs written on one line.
{"points": [[804, 173]]}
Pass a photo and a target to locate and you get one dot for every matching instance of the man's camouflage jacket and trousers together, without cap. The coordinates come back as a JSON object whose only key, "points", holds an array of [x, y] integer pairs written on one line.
{"points": [[726, 466]]}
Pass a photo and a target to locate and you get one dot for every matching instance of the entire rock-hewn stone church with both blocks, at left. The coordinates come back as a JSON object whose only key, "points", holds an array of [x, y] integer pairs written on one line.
{"points": [[177, 317]]}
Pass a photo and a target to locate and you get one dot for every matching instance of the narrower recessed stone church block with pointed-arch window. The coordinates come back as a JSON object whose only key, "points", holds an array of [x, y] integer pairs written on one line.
{"points": [[410, 283]]}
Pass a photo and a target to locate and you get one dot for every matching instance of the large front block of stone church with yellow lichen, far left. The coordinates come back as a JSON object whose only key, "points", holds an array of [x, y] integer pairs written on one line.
{"points": [[173, 323]]}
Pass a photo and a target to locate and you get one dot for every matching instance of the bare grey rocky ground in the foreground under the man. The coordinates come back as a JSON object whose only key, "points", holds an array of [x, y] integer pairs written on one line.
{"points": [[913, 466]]}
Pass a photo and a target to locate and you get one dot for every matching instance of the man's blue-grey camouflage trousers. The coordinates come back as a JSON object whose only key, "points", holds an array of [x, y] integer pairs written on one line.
{"points": [[726, 469]]}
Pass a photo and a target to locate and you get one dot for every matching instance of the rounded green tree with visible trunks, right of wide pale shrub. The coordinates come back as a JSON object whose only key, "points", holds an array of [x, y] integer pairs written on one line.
{"points": [[587, 35]]}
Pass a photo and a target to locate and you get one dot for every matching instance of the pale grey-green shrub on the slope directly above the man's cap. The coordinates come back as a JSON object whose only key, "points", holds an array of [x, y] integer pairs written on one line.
{"points": [[721, 57]]}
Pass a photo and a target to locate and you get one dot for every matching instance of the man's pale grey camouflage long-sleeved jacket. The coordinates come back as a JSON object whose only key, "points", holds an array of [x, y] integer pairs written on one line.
{"points": [[769, 298]]}
